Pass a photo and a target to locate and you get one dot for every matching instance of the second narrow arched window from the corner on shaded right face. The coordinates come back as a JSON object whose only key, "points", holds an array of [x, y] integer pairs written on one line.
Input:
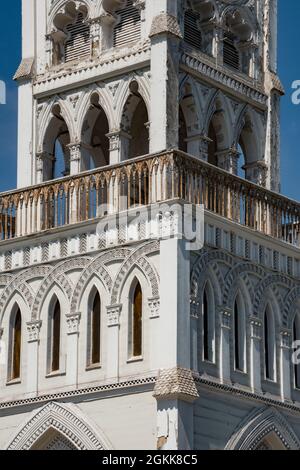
{"points": [[239, 335]]}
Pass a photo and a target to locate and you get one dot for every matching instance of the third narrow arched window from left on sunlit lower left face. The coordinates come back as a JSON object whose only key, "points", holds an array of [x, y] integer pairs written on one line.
{"points": [[95, 331]]}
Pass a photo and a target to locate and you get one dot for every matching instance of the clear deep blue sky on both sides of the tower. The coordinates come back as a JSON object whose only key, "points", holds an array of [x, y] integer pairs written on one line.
{"points": [[289, 68]]}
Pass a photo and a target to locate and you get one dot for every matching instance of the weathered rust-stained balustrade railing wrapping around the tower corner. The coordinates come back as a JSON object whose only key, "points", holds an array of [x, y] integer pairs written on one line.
{"points": [[142, 181]]}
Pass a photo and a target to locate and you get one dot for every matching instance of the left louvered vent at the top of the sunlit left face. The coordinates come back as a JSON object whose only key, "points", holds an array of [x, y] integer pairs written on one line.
{"points": [[78, 44]]}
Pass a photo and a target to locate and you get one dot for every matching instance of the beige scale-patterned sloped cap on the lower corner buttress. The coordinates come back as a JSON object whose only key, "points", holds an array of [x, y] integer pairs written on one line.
{"points": [[176, 384]]}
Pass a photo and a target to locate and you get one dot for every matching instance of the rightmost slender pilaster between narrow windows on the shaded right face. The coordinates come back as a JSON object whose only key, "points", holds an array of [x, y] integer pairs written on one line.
{"points": [[285, 364]]}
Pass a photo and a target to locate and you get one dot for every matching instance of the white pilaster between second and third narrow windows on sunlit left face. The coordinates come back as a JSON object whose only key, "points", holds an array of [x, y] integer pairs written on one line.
{"points": [[73, 323]]}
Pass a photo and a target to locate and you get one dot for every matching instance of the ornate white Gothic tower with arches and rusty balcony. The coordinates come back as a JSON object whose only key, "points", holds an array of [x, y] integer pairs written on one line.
{"points": [[113, 333]]}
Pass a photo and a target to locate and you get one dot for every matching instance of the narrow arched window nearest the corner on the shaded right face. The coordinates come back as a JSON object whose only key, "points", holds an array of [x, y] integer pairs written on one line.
{"points": [[208, 325]]}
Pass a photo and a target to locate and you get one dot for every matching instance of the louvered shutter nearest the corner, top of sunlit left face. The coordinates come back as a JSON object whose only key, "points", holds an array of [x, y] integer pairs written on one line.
{"points": [[128, 30]]}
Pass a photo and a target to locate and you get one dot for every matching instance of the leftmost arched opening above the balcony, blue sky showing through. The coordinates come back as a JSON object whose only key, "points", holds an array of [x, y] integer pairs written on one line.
{"points": [[56, 157]]}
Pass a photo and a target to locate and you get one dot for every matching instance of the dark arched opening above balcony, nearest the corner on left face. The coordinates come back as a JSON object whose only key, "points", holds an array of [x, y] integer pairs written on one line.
{"points": [[135, 124]]}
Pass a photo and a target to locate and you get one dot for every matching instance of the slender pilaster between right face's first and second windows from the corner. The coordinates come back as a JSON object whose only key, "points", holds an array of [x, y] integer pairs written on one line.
{"points": [[226, 319]]}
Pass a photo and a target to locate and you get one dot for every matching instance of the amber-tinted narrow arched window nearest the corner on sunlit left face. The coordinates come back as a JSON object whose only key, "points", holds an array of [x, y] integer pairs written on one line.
{"points": [[136, 322]]}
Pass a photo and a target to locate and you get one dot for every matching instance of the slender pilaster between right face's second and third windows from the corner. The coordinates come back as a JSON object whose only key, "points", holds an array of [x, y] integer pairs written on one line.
{"points": [[255, 354]]}
